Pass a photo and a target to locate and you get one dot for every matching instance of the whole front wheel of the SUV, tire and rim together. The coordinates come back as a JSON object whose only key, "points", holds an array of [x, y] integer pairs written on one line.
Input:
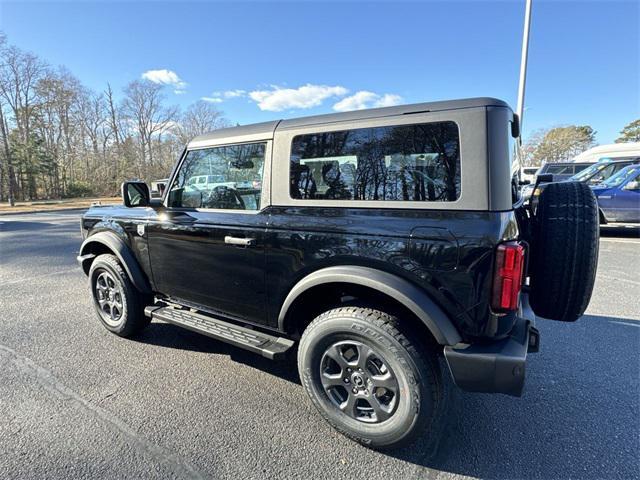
{"points": [[120, 307]]}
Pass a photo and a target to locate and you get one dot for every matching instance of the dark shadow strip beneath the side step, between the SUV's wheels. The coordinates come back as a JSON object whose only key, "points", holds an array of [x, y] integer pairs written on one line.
{"points": [[171, 336]]}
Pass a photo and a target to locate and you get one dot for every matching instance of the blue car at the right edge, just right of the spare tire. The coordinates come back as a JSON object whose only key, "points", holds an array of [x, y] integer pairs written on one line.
{"points": [[619, 196]]}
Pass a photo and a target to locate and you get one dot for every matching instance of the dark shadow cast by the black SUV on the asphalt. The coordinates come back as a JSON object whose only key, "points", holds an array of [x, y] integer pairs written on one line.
{"points": [[578, 412]]}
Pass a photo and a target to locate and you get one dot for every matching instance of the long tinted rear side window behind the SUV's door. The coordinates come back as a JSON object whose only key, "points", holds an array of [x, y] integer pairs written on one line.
{"points": [[407, 163]]}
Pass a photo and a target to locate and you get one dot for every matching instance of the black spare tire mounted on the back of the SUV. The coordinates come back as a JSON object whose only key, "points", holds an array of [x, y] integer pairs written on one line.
{"points": [[564, 251]]}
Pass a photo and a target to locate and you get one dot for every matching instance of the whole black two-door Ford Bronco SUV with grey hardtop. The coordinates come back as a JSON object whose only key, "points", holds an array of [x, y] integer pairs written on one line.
{"points": [[372, 242]]}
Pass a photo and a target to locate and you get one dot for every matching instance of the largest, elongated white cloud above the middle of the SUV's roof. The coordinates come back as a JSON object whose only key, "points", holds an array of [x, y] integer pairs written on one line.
{"points": [[306, 96]]}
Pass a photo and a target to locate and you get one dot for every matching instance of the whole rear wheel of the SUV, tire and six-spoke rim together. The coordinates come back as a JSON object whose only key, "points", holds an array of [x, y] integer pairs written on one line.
{"points": [[367, 379]]}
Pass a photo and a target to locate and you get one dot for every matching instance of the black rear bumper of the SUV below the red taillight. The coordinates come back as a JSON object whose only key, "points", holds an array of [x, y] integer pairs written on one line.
{"points": [[497, 367]]}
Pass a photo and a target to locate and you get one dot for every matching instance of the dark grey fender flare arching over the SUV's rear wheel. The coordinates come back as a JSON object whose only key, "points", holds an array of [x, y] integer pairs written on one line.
{"points": [[412, 297]]}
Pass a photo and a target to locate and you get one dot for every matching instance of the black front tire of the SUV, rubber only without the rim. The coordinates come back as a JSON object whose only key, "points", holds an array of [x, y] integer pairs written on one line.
{"points": [[132, 319]]}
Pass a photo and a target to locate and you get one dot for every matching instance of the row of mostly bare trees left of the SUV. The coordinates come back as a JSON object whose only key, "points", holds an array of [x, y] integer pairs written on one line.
{"points": [[59, 138]]}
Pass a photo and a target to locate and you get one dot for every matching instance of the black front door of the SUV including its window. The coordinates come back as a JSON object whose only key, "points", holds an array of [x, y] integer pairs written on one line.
{"points": [[207, 245]]}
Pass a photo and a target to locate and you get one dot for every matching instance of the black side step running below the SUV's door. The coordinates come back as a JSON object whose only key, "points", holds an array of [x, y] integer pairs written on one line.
{"points": [[267, 345]]}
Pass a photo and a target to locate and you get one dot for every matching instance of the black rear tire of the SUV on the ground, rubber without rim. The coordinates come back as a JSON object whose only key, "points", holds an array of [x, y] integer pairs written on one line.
{"points": [[416, 369]]}
